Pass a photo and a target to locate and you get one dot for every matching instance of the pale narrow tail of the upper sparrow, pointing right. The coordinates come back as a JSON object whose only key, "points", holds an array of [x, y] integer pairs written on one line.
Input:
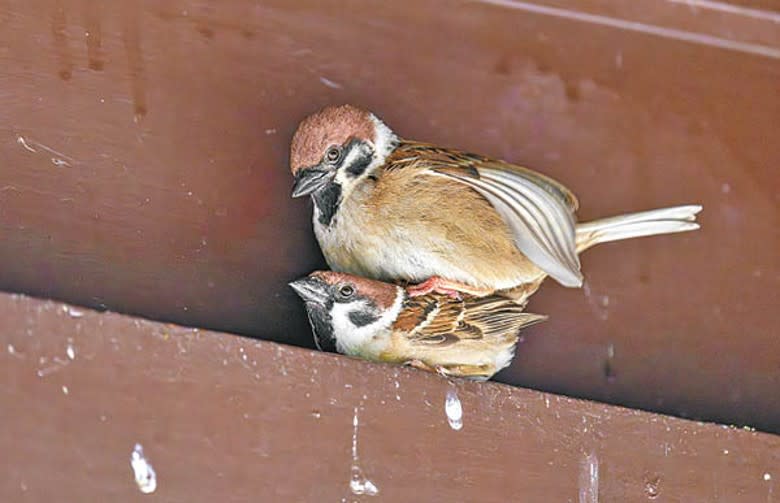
{"points": [[634, 225]]}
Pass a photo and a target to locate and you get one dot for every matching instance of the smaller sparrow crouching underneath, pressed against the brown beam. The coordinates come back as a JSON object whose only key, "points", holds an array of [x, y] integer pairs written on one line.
{"points": [[472, 337]]}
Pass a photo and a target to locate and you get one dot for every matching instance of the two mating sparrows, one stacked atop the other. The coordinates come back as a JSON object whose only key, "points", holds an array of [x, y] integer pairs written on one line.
{"points": [[470, 237]]}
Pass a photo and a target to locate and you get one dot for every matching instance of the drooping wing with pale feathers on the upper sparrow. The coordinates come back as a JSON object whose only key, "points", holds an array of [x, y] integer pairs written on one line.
{"points": [[538, 210]]}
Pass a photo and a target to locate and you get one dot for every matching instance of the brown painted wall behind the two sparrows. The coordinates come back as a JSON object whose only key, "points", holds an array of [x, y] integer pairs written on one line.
{"points": [[143, 153]]}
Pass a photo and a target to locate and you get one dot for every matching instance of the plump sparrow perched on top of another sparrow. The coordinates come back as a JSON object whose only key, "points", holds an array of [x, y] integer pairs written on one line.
{"points": [[450, 221]]}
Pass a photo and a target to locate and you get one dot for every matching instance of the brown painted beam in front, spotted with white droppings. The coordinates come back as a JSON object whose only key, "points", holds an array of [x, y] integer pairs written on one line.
{"points": [[224, 418]]}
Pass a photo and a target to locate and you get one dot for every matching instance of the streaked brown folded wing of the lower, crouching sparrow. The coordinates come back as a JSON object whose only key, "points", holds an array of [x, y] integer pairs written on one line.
{"points": [[439, 320]]}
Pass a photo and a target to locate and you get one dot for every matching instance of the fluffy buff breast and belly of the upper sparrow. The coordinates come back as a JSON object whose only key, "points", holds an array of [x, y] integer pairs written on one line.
{"points": [[411, 226]]}
